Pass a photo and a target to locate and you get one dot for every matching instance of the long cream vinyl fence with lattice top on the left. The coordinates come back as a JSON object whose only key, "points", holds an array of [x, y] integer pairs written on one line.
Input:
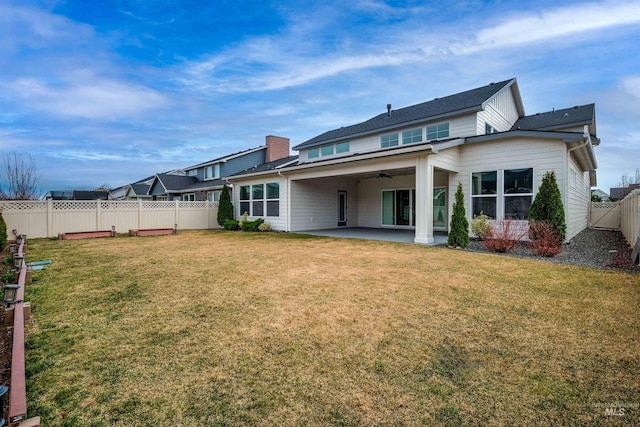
{"points": [[37, 218]]}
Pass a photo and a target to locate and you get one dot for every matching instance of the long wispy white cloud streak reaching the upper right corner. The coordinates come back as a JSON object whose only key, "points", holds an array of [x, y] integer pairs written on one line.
{"points": [[289, 59]]}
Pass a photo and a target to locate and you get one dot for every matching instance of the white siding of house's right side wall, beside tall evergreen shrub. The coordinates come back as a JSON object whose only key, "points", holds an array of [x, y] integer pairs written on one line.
{"points": [[579, 197]]}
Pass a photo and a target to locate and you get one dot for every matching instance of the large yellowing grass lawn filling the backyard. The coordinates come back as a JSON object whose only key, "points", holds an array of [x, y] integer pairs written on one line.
{"points": [[209, 328]]}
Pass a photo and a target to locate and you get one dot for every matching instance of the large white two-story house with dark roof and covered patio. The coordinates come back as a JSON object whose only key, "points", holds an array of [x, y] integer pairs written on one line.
{"points": [[400, 169]]}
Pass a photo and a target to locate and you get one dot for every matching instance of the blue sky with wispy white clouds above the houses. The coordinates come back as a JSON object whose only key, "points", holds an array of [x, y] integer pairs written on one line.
{"points": [[110, 92]]}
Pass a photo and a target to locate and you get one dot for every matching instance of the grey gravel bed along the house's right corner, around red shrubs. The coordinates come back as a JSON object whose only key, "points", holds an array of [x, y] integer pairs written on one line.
{"points": [[592, 248]]}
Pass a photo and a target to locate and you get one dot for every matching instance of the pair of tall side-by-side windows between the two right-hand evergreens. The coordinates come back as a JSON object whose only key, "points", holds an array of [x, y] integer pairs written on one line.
{"points": [[512, 199]]}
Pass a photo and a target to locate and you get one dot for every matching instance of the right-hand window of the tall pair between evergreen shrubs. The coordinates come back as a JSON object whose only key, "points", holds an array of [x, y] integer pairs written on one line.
{"points": [[518, 193]]}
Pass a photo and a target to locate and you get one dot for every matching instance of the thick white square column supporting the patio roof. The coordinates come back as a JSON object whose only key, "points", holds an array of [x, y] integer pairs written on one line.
{"points": [[424, 200]]}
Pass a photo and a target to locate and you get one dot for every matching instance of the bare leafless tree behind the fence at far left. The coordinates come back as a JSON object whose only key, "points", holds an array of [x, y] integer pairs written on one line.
{"points": [[21, 178]]}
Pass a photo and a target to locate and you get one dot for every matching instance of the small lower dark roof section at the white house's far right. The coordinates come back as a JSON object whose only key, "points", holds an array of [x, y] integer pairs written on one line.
{"points": [[557, 119]]}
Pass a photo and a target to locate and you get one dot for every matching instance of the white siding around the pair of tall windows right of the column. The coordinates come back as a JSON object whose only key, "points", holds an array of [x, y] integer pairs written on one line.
{"points": [[540, 154]]}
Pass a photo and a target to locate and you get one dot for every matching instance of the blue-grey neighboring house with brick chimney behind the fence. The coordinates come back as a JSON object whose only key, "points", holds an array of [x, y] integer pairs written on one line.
{"points": [[204, 181]]}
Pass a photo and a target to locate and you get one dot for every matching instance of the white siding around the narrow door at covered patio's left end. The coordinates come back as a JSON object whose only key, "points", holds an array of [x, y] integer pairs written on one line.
{"points": [[314, 203]]}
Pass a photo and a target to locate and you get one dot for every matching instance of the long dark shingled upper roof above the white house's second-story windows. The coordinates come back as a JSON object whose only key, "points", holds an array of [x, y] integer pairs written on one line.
{"points": [[469, 101]]}
